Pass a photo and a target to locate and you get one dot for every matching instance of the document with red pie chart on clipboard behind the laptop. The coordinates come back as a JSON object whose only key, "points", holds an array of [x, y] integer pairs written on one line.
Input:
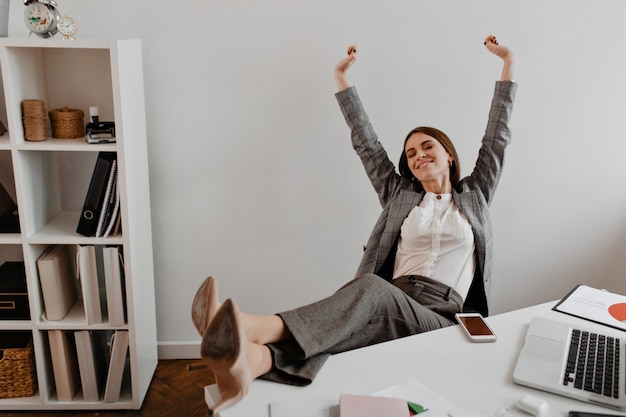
{"points": [[599, 306]]}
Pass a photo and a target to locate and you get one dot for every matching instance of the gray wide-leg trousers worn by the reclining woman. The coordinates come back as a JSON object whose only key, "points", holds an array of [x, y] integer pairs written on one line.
{"points": [[366, 311]]}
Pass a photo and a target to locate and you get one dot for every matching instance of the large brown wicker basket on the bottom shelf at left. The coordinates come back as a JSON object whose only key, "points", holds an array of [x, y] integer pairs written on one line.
{"points": [[17, 369]]}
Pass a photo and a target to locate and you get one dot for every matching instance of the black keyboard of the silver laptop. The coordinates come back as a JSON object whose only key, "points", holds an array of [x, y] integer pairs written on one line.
{"points": [[593, 363]]}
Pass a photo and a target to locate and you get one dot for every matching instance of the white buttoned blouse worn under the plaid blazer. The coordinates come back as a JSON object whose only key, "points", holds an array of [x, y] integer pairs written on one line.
{"points": [[436, 241]]}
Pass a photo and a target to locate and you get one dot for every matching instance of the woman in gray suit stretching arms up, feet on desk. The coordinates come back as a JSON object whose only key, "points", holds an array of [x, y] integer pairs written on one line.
{"points": [[428, 257]]}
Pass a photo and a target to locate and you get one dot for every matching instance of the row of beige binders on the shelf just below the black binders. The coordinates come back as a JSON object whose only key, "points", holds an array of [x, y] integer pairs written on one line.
{"points": [[87, 280]]}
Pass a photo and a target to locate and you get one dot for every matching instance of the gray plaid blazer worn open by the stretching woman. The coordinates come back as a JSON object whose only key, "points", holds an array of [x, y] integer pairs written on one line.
{"points": [[398, 196]]}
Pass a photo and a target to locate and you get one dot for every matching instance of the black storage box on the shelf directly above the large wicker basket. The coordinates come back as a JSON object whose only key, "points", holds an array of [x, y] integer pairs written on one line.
{"points": [[13, 292]]}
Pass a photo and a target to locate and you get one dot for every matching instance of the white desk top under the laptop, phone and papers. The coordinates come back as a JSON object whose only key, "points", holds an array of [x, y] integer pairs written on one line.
{"points": [[475, 376]]}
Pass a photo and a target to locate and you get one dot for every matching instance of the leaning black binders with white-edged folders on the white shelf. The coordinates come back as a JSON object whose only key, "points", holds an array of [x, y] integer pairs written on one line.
{"points": [[100, 216]]}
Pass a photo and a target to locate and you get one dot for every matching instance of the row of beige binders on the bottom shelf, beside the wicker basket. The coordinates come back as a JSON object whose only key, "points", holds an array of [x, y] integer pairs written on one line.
{"points": [[91, 364]]}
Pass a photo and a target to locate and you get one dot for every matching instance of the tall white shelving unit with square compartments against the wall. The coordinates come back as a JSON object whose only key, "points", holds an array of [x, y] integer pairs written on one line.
{"points": [[50, 180]]}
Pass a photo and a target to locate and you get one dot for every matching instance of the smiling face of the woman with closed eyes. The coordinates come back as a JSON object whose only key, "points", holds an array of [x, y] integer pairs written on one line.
{"points": [[428, 160]]}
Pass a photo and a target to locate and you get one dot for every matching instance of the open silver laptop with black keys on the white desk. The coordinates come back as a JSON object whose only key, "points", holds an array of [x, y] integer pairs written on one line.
{"points": [[553, 359]]}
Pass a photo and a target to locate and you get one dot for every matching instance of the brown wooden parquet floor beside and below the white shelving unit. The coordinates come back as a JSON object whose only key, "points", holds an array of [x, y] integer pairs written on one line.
{"points": [[176, 391]]}
